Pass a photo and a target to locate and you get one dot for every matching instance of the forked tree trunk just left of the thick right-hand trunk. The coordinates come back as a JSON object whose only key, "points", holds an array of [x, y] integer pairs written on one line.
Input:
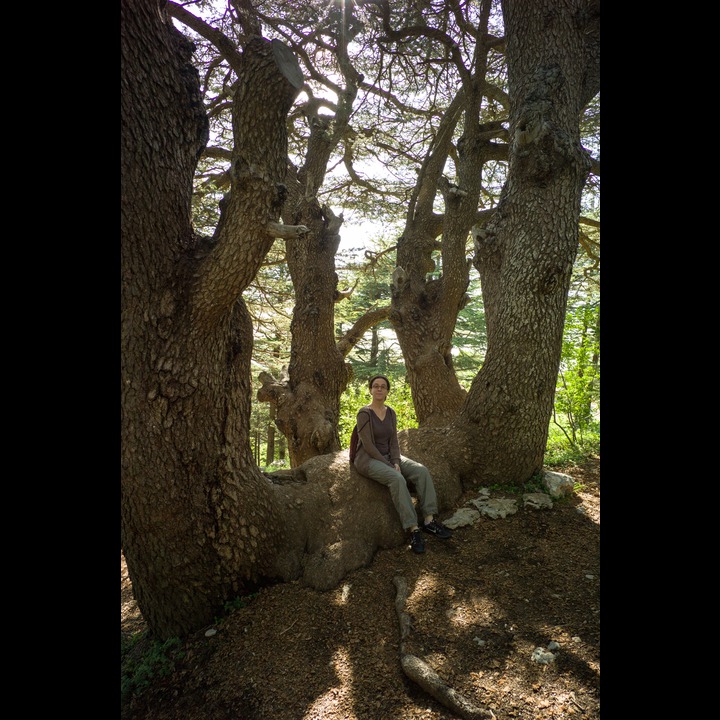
{"points": [[425, 308]]}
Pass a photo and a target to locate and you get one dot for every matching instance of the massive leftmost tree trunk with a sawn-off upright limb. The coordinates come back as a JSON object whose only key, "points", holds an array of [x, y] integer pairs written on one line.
{"points": [[198, 520]]}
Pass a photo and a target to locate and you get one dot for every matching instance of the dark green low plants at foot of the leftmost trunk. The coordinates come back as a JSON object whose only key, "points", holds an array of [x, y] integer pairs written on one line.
{"points": [[143, 661]]}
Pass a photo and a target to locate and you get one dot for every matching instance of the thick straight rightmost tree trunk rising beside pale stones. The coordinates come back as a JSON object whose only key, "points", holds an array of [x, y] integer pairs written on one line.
{"points": [[525, 253]]}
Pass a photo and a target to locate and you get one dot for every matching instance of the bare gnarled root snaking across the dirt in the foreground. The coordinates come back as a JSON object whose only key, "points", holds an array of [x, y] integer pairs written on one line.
{"points": [[423, 675]]}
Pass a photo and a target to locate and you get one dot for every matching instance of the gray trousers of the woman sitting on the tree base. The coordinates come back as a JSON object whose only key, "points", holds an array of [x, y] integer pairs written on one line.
{"points": [[419, 475]]}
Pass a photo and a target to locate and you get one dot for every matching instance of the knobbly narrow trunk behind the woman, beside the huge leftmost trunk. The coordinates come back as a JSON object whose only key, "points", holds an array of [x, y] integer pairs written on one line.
{"points": [[307, 401]]}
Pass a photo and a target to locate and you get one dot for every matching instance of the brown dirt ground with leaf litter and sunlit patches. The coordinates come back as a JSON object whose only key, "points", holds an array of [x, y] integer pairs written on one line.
{"points": [[480, 606]]}
